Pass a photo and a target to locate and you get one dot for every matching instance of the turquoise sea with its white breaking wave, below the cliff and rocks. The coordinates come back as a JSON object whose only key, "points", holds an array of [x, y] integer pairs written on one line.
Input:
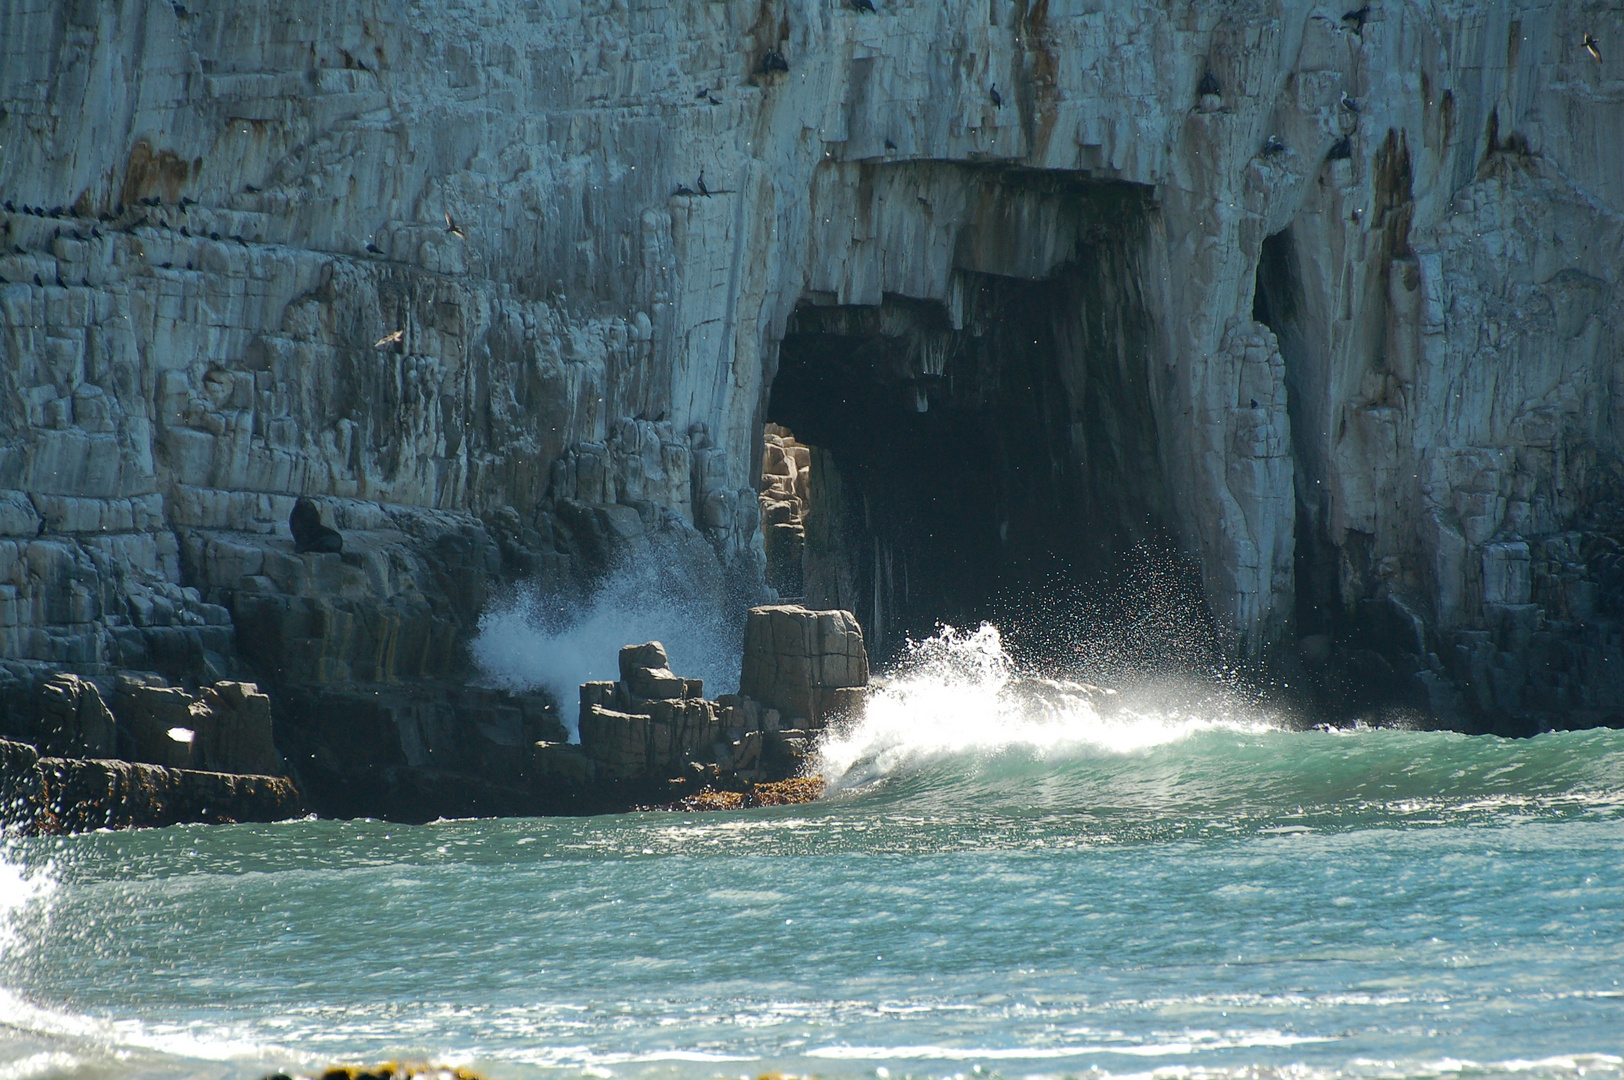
{"points": [[1006, 883]]}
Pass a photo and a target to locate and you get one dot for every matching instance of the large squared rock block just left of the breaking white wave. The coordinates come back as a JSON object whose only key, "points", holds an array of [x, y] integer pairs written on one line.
{"points": [[806, 665]]}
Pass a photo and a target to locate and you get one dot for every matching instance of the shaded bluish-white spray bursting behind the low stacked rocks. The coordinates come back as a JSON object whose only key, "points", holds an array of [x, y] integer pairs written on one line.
{"points": [[555, 644]]}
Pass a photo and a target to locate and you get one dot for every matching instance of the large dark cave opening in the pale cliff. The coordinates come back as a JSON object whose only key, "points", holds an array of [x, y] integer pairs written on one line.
{"points": [[967, 464]]}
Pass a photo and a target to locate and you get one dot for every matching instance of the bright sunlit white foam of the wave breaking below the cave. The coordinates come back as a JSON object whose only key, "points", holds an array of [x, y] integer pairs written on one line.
{"points": [[961, 696]]}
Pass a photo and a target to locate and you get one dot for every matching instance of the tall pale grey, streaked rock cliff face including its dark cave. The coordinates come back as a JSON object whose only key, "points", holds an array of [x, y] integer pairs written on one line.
{"points": [[1328, 301]]}
